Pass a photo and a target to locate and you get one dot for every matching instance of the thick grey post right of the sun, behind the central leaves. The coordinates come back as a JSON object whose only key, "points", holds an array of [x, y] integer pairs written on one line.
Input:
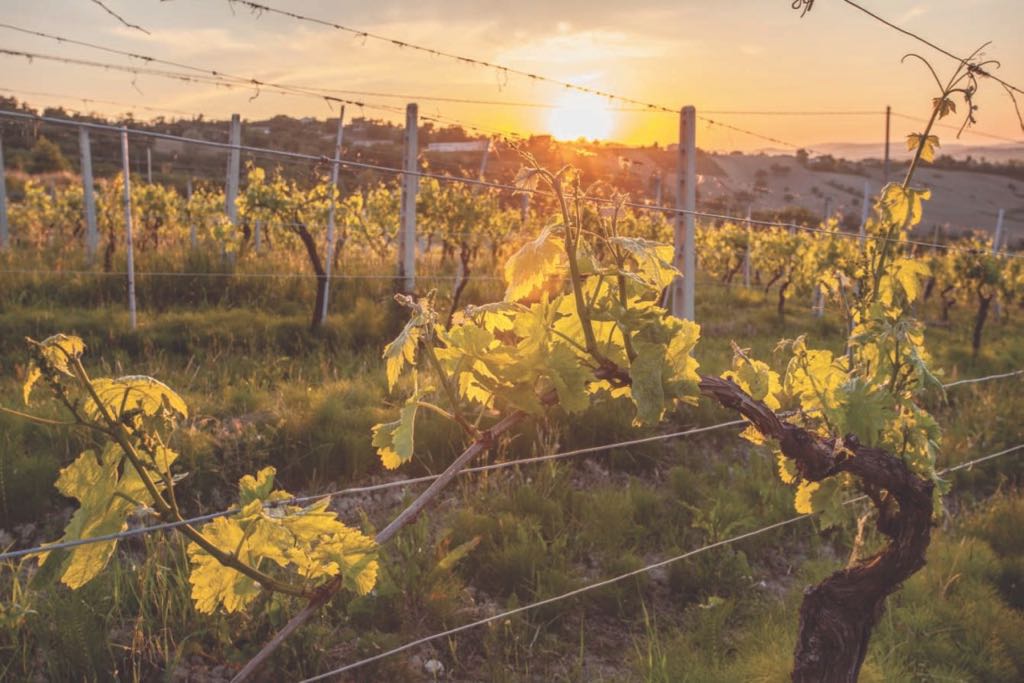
{"points": [[686, 225]]}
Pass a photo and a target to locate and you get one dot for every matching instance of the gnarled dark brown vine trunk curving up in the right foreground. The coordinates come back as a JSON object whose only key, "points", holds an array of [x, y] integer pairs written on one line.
{"points": [[837, 616]]}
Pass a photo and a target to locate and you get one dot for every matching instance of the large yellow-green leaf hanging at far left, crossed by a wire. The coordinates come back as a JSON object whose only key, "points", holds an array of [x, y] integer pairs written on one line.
{"points": [[106, 499]]}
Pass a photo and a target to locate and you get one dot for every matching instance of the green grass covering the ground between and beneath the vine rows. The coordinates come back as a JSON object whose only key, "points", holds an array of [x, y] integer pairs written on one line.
{"points": [[267, 391]]}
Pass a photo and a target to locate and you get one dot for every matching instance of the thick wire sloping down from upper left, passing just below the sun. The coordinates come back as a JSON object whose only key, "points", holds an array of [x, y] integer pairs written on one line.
{"points": [[476, 182]]}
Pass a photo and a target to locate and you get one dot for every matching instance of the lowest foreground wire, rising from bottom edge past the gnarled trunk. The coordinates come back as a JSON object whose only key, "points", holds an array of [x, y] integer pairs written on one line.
{"points": [[614, 580]]}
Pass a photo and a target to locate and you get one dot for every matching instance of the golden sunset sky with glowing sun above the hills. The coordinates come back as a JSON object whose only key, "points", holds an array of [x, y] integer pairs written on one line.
{"points": [[720, 57]]}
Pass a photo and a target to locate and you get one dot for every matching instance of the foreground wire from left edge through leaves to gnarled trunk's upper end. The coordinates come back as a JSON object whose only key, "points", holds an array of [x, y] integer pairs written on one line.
{"points": [[15, 554]]}
